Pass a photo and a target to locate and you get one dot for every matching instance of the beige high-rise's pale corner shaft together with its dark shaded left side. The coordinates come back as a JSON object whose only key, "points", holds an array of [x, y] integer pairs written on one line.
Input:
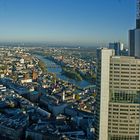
{"points": [[103, 68]]}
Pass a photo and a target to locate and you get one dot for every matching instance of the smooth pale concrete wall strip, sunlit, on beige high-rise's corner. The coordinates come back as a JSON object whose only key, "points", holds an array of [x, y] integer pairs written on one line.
{"points": [[104, 93]]}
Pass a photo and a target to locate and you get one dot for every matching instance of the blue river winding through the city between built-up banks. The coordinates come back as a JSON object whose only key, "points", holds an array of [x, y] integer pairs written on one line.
{"points": [[55, 68]]}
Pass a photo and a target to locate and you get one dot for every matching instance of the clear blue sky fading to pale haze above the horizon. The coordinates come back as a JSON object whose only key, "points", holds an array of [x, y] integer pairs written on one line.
{"points": [[77, 22]]}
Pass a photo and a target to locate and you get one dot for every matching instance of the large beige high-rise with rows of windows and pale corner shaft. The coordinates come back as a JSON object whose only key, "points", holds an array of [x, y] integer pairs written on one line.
{"points": [[118, 97]]}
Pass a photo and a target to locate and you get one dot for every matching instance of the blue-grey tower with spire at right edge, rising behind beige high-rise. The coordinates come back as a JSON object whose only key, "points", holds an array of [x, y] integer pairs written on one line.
{"points": [[134, 36]]}
